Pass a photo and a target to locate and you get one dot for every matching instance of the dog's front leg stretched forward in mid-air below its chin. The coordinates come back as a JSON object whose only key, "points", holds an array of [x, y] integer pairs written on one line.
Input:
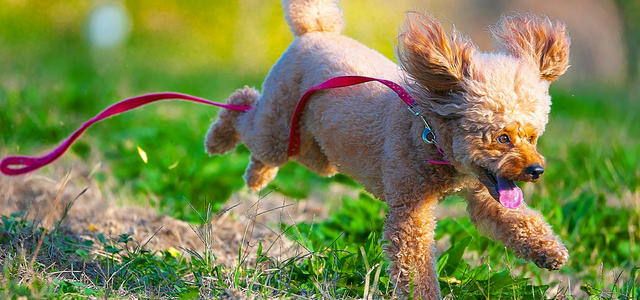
{"points": [[521, 229]]}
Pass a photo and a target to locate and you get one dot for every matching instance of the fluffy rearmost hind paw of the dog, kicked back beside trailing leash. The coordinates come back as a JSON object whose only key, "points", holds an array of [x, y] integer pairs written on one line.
{"points": [[223, 135]]}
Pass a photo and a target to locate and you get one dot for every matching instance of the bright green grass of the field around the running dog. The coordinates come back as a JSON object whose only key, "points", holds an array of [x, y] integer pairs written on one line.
{"points": [[589, 192]]}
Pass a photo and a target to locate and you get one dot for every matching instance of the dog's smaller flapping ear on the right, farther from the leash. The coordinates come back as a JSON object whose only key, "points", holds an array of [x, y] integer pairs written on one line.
{"points": [[536, 38]]}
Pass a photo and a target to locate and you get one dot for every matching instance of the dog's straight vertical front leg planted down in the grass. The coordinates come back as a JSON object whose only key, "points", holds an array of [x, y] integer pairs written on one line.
{"points": [[409, 228]]}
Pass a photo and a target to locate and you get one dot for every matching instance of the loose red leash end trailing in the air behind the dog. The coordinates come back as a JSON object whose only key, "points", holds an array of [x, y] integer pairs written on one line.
{"points": [[33, 163]]}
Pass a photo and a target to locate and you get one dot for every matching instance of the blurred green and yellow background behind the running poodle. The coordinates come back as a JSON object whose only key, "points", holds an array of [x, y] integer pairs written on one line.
{"points": [[57, 70]]}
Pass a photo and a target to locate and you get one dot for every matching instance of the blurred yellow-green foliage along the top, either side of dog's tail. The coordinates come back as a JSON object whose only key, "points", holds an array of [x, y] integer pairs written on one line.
{"points": [[182, 38]]}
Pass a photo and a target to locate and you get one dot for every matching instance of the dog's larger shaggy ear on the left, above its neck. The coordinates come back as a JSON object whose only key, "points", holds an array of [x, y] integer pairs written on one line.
{"points": [[431, 58]]}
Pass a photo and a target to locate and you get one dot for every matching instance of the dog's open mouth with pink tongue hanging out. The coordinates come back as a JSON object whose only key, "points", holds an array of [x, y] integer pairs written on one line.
{"points": [[502, 189]]}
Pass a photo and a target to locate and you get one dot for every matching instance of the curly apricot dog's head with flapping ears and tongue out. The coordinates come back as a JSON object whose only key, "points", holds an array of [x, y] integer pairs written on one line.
{"points": [[495, 105]]}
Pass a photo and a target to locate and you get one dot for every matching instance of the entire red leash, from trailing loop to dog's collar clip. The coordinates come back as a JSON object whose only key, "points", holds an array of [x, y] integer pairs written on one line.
{"points": [[17, 165]]}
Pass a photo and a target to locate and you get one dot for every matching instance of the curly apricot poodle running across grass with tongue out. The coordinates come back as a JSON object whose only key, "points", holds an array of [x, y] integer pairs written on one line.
{"points": [[486, 111]]}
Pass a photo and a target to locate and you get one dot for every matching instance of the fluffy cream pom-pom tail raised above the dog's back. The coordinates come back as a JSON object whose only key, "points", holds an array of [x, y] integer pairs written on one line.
{"points": [[304, 16]]}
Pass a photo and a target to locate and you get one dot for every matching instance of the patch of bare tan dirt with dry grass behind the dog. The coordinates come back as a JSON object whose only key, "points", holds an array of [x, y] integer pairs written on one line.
{"points": [[247, 219]]}
